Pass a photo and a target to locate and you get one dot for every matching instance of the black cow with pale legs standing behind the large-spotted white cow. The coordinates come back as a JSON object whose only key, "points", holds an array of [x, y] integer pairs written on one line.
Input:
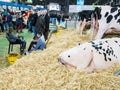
{"points": [[85, 20]]}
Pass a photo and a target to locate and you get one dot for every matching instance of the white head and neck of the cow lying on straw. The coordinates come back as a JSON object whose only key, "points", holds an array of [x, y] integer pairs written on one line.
{"points": [[74, 57]]}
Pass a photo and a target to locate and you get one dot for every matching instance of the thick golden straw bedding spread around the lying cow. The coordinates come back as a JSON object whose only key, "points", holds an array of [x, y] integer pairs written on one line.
{"points": [[40, 70]]}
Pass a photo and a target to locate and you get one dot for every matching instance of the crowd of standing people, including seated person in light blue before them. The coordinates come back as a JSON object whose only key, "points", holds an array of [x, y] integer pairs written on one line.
{"points": [[36, 21]]}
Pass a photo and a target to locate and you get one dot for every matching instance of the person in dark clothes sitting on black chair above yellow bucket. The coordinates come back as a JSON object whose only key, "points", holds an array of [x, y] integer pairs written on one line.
{"points": [[17, 40]]}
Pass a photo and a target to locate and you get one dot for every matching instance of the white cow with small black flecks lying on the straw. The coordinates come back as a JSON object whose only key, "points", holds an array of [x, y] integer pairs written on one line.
{"points": [[94, 55]]}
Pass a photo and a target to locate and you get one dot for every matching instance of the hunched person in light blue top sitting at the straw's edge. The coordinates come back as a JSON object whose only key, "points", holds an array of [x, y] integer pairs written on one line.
{"points": [[38, 43]]}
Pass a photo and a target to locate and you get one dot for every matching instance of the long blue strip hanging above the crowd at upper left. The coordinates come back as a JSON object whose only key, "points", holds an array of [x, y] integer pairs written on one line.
{"points": [[14, 4]]}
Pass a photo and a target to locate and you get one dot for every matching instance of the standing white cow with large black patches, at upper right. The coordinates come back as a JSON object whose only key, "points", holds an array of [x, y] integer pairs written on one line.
{"points": [[106, 18]]}
